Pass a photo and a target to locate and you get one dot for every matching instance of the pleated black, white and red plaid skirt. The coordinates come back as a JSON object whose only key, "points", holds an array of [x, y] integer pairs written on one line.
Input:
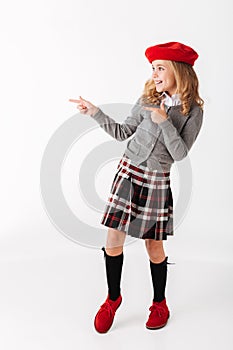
{"points": [[140, 202]]}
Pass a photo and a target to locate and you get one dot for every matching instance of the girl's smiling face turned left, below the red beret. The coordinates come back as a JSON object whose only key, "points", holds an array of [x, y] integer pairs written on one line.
{"points": [[163, 76]]}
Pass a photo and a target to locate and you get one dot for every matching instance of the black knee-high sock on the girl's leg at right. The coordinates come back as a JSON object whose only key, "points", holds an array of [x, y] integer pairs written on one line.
{"points": [[159, 278]]}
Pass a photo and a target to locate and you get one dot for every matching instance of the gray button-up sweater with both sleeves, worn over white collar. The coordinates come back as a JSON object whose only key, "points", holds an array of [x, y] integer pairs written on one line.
{"points": [[155, 145]]}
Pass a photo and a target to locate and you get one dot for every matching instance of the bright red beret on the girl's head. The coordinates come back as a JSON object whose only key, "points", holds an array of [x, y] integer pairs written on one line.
{"points": [[173, 51]]}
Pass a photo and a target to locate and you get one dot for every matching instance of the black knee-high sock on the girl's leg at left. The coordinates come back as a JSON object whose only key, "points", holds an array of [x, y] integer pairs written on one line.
{"points": [[113, 272]]}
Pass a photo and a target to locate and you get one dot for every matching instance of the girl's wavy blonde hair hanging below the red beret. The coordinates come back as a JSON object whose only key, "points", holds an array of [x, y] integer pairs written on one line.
{"points": [[187, 86]]}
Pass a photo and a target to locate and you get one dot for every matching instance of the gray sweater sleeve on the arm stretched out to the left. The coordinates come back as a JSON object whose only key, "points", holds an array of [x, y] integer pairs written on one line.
{"points": [[120, 131]]}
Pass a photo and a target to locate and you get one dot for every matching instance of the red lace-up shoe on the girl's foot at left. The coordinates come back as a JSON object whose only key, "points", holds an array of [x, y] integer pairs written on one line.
{"points": [[105, 316]]}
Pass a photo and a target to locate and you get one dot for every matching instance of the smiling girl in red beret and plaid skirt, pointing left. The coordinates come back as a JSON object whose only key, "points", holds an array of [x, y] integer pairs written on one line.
{"points": [[166, 120]]}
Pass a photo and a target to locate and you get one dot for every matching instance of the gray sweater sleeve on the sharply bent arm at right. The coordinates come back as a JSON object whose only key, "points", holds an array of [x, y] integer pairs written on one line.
{"points": [[177, 144]]}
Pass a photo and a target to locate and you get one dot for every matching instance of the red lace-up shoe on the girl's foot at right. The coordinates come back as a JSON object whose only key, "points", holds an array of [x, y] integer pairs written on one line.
{"points": [[159, 315]]}
